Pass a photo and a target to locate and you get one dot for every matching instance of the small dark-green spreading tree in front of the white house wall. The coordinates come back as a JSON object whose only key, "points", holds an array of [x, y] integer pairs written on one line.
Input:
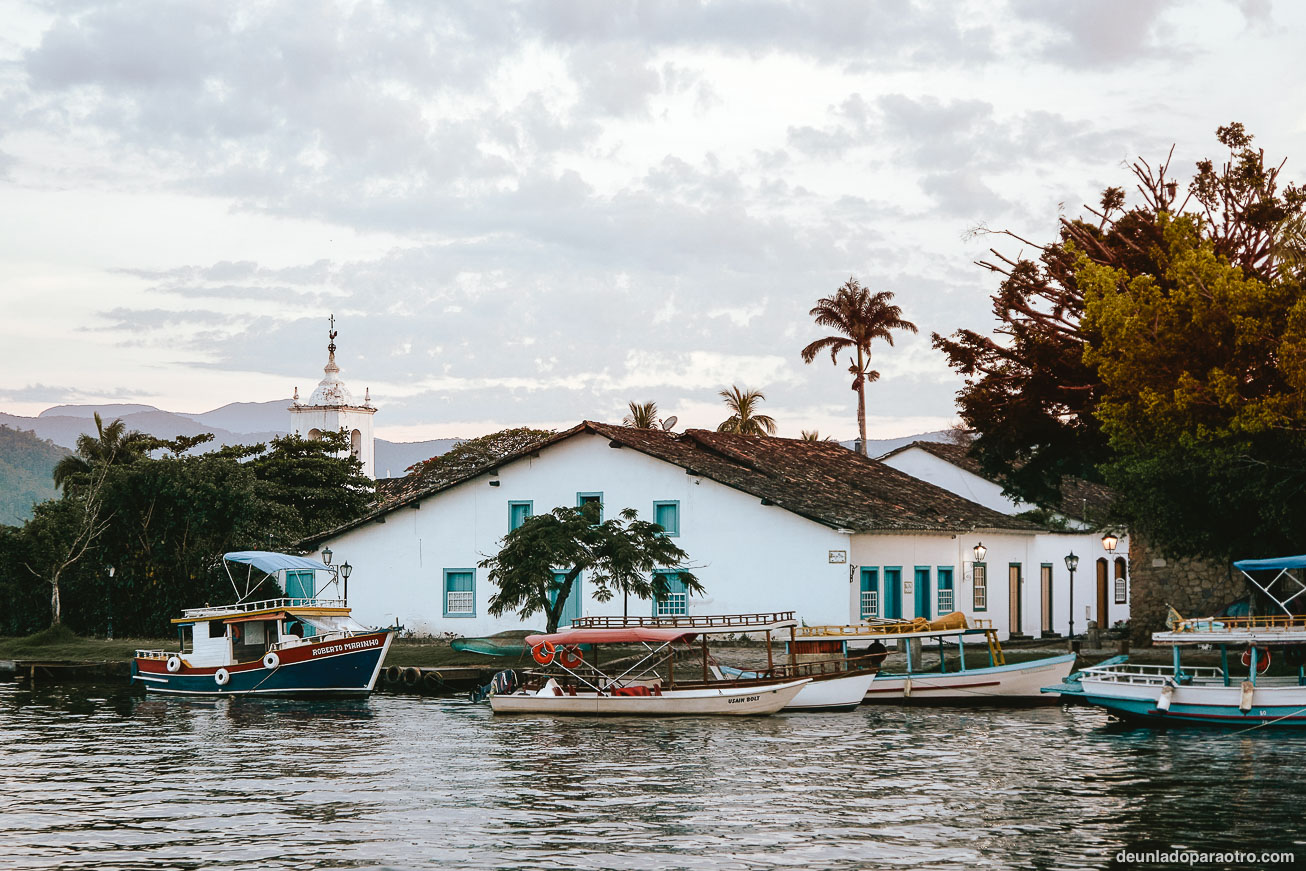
{"points": [[621, 556]]}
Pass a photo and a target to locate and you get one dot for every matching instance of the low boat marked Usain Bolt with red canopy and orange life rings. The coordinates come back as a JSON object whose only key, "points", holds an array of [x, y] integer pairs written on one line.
{"points": [[579, 686]]}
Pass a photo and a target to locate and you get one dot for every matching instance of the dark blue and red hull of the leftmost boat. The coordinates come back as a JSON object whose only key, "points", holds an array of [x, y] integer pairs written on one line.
{"points": [[328, 669]]}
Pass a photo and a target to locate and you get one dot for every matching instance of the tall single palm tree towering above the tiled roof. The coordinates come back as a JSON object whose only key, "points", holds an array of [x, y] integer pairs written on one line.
{"points": [[861, 318]]}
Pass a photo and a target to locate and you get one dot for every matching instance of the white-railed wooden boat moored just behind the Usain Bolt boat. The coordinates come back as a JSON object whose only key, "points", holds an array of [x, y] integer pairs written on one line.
{"points": [[838, 684]]}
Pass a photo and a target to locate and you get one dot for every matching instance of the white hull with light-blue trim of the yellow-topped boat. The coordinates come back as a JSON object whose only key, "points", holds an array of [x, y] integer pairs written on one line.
{"points": [[1018, 682]]}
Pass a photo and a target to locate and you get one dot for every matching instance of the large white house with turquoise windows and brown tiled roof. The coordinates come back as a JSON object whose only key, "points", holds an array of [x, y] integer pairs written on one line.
{"points": [[769, 524]]}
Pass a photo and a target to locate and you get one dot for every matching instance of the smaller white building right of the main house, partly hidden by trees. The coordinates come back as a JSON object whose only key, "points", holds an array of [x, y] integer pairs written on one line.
{"points": [[1102, 583]]}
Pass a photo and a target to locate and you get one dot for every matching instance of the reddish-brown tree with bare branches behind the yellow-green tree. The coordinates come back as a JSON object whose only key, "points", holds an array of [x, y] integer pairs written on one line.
{"points": [[1031, 398]]}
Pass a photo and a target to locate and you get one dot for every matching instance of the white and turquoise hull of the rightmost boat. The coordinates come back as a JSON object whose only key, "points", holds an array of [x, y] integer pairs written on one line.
{"points": [[1202, 706]]}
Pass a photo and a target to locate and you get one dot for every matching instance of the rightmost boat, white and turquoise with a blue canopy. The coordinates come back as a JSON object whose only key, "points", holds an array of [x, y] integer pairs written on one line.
{"points": [[1224, 695]]}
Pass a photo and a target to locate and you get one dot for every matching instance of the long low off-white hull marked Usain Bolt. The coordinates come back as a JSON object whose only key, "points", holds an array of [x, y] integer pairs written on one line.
{"points": [[729, 702]]}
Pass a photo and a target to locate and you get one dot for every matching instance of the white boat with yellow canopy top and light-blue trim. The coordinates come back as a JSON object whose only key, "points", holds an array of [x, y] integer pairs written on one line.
{"points": [[997, 684]]}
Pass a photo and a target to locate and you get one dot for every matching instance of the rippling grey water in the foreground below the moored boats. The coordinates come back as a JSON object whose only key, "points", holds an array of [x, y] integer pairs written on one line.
{"points": [[97, 778]]}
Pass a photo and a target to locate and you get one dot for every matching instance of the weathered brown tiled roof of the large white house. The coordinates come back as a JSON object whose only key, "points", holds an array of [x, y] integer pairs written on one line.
{"points": [[817, 480]]}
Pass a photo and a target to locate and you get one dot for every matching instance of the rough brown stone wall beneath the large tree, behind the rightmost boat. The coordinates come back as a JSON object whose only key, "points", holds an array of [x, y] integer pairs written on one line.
{"points": [[1193, 587]]}
